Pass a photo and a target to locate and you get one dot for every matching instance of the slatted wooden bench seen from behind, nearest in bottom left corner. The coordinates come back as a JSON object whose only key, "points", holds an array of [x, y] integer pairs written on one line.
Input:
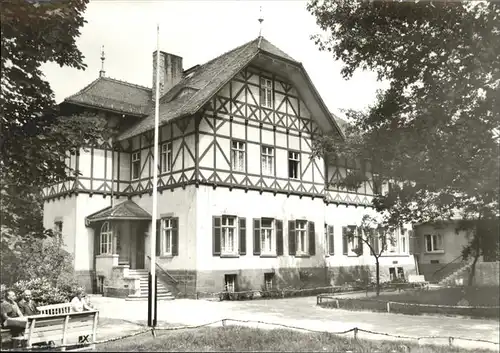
{"points": [[67, 328]]}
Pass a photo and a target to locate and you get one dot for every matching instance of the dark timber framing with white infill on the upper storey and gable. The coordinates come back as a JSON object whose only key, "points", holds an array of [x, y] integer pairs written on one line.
{"points": [[201, 150]]}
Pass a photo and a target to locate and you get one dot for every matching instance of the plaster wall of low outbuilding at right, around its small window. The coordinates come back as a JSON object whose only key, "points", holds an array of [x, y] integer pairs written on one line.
{"points": [[453, 243]]}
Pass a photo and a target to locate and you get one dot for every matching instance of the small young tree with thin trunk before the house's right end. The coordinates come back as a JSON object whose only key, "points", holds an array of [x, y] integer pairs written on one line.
{"points": [[376, 236]]}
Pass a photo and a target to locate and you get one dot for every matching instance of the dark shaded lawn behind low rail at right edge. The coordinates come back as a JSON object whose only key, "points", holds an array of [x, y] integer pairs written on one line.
{"points": [[475, 296]]}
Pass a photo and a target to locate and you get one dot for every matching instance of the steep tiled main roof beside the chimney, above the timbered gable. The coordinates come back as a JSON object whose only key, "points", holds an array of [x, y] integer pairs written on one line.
{"points": [[204, 83]]}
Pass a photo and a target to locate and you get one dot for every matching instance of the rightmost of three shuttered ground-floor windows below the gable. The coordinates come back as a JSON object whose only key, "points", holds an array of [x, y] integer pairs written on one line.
{"points": [[301, 238]]}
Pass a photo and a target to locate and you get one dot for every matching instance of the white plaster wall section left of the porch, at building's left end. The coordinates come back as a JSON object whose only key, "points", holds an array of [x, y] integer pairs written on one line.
{"points": [[63, 209]]}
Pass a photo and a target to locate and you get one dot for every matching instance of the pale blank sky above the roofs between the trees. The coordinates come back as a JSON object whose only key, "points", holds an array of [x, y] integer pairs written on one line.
{"points": [[198, 31]]}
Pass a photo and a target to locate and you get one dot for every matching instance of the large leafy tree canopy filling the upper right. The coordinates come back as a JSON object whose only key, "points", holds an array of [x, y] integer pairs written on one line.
{"points": [[433, 134]]}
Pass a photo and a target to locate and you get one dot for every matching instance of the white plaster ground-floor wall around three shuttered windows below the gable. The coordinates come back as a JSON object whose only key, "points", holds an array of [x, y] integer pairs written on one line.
{"points": [[251, 205]]}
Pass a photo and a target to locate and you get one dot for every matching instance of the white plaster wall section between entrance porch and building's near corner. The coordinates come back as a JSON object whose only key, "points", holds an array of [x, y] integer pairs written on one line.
{"points": [[182, 204]]}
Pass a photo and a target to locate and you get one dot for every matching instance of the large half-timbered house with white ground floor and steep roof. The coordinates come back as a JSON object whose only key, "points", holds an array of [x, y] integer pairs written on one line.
{"points": [[242, 203]]}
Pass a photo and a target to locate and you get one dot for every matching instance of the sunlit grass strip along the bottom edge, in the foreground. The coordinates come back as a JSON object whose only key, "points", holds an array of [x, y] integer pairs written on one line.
{"points": [[244, 339]]}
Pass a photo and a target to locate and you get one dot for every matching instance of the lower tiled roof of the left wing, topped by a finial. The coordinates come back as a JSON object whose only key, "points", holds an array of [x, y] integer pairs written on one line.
{"points": [[115, 95]]}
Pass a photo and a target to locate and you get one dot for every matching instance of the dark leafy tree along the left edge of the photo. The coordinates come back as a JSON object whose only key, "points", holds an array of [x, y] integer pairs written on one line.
{"points": [[34, 138]]}
